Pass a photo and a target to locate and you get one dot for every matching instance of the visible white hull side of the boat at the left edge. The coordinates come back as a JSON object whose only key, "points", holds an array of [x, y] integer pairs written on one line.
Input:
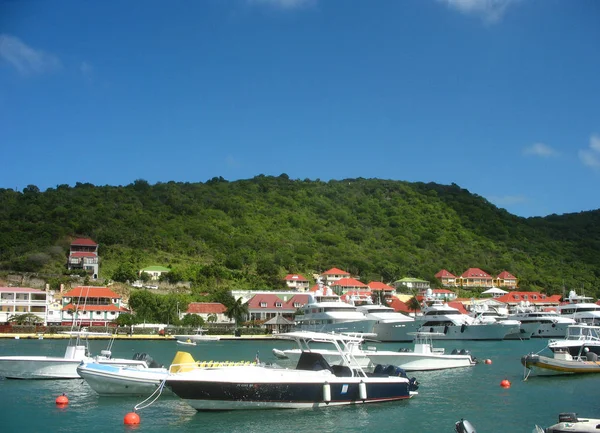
{"points": [[38, 367]]}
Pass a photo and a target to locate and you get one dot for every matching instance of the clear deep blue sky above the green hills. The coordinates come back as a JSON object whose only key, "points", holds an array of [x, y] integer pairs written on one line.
{"points": [[501, 97]]}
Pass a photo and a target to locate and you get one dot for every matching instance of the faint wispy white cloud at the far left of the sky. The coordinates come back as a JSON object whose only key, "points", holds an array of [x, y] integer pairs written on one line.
{"points": [[25, 59]]}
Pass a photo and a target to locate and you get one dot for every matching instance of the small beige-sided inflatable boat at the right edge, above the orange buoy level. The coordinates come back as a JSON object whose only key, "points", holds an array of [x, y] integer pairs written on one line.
{"points": [[561, 363]]}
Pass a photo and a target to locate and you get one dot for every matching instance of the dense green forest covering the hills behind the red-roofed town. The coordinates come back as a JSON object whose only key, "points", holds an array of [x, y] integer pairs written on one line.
{"points": [[248, 234]]}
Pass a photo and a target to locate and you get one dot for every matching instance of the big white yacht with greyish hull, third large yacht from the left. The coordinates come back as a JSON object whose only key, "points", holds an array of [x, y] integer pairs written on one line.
{"points": [[448, 323]]}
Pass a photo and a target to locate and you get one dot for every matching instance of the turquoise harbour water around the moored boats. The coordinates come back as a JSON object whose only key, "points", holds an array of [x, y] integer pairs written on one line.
{"points": [[444, 397]]}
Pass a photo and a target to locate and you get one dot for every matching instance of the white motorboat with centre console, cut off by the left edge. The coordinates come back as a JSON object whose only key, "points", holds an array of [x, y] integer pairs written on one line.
{"points": [[56, 367]]}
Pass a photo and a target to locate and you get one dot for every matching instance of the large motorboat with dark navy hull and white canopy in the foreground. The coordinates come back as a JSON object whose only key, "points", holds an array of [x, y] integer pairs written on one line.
{"points": [[313, 383]]}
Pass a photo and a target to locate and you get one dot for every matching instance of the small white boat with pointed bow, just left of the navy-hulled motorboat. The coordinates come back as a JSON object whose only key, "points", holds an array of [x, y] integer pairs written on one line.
{"points": [[141, 379]]}
